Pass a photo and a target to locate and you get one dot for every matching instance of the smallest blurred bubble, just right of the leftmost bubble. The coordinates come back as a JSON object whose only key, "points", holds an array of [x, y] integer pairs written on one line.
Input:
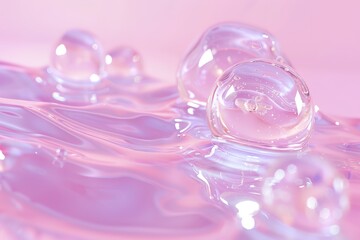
{"points": [[123, 61]]}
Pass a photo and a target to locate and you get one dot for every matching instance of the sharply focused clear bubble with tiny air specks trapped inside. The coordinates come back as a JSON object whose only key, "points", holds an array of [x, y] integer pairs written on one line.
{"points": [[261, 103]]}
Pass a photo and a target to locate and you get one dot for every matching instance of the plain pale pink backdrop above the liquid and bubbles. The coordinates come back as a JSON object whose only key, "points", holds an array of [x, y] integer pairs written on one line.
{"points": [[321, 38]]}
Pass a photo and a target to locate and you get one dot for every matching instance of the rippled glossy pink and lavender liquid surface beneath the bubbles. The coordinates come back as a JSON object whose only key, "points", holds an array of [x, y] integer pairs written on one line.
{"points": [[126, 158]]}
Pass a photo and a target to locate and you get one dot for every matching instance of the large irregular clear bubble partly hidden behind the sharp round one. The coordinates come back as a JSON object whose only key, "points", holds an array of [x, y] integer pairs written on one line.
{"points": [[219, 48]]}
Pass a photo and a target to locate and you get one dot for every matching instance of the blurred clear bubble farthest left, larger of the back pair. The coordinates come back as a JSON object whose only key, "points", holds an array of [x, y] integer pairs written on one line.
{"points": [[77, 57]]}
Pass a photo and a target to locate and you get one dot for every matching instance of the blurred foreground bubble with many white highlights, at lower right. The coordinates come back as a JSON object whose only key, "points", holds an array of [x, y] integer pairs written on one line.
{"points": [[308, 194]]}
